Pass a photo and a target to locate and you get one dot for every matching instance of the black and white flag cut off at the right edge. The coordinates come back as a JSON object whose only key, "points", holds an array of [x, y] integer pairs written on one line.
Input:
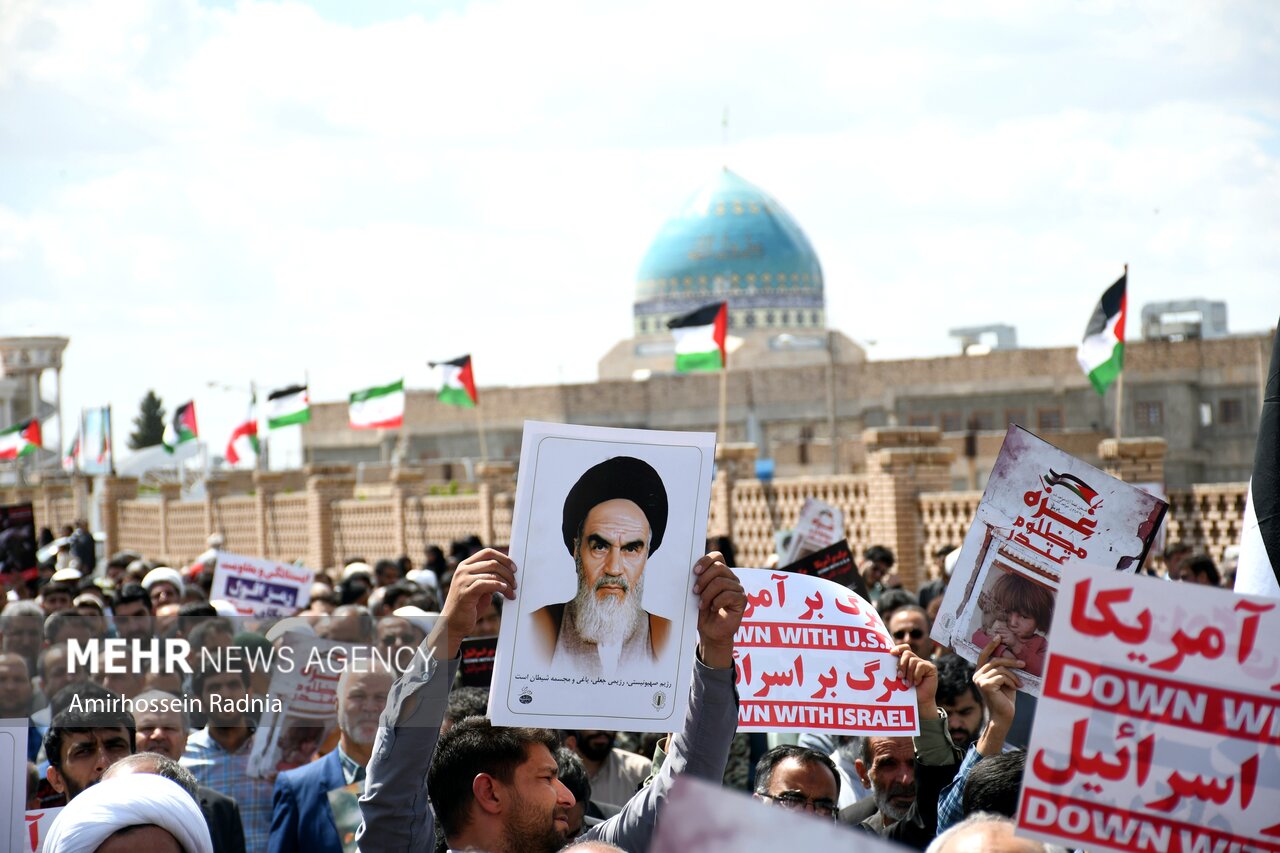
{"points": [[1259, 571]]}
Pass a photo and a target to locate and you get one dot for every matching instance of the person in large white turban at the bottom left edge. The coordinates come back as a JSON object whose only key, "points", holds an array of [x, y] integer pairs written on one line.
{"points": [[131, 814]]}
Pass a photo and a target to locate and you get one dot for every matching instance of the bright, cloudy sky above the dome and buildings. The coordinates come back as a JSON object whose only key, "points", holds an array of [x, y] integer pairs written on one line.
{"points": [[234, 191]]}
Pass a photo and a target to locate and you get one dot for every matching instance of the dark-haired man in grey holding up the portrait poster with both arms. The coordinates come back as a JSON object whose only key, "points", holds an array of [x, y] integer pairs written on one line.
{"points": [[497, 790]]}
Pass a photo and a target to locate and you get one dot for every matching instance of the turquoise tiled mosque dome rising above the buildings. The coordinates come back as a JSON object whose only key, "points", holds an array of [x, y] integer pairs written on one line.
{"points": [[733, 241]]}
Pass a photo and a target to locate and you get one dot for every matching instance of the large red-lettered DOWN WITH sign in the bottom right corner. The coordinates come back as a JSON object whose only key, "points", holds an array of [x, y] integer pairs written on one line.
{"points": [[1159, 723]]}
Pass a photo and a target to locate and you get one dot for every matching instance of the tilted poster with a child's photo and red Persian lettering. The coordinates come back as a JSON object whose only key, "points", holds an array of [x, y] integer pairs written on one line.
{"points": [[1044, 516]]}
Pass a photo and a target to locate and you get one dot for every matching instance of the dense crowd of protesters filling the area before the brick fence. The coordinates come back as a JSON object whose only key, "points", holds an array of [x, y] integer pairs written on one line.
{"points": [[435, 773]]}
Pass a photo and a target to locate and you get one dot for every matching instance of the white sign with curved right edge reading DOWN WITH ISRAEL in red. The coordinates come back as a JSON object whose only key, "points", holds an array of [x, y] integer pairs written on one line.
{"points": [[812, 656]]}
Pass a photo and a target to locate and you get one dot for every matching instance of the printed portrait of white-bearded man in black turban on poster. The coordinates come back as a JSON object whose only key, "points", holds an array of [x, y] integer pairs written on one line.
{"points": [[615, 518]]}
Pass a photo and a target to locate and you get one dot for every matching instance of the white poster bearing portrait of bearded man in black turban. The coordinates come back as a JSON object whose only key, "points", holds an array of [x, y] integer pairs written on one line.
{"points": [[606, 530]]}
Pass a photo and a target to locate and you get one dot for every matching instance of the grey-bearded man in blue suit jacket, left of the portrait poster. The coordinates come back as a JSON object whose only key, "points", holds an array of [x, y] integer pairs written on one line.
{"points": [[303, 819]]}
